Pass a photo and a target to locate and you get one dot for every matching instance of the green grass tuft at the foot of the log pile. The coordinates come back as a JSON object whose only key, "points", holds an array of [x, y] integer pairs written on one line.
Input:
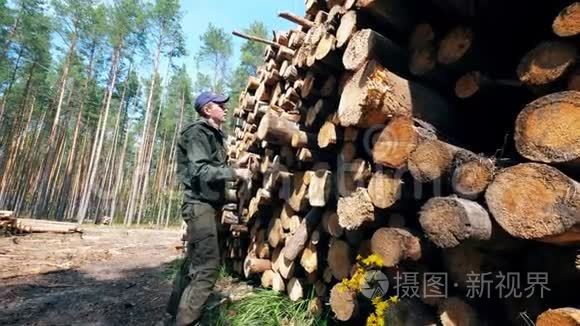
{"points": [[263, 307]]}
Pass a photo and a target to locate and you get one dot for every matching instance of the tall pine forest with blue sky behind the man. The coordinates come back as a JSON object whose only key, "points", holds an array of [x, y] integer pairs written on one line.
{"points": [[93, 95]]}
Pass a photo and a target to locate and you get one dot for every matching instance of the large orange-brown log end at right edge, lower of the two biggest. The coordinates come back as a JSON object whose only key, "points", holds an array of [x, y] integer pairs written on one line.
{"points": [[535, 201]]}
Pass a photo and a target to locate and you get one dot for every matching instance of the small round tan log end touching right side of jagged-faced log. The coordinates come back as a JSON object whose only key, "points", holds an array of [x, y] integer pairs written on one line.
{"points": [[384, 188]]}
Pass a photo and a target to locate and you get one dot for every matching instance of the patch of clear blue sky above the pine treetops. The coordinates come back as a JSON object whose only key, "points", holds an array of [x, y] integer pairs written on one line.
{"points": [[231, 15]]}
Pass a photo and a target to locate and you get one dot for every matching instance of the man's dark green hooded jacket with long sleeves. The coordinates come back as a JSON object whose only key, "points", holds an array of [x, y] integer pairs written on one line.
{"points": [[201, 163]]}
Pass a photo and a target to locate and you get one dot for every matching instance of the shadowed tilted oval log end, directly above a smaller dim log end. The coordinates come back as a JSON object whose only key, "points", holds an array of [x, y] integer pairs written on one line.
{"points": [[454, 45]]}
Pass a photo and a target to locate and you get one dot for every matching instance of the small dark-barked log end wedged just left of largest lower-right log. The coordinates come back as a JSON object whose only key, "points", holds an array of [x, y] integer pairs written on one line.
{"points": [[471, 175]]}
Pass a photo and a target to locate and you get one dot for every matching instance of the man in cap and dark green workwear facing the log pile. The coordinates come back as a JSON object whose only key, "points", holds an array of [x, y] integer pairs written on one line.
{"points": [[201, 167]]}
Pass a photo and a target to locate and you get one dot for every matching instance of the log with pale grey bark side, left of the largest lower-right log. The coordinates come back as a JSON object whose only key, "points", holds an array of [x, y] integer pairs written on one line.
{"points": [[450, 221]]}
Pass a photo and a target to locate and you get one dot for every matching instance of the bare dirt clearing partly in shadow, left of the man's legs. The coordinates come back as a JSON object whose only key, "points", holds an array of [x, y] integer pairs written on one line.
{"points": [[106, 276]]}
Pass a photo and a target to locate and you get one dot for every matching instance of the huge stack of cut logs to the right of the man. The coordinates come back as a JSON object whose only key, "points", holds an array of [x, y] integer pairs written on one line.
{"points": [[439, 136]]}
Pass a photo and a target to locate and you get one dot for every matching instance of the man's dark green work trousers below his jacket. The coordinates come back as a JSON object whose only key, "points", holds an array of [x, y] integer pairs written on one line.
{"points": [[195, 280]]}
